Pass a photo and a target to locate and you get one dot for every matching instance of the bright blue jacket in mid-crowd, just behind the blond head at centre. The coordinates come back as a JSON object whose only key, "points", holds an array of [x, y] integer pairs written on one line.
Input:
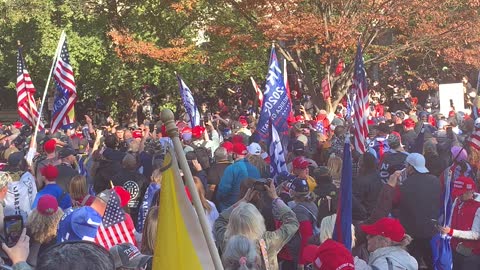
{"points": [[229, 187]]}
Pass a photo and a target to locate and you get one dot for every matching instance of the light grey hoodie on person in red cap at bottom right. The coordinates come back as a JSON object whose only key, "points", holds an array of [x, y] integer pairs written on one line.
{"points": [[399, 258]]}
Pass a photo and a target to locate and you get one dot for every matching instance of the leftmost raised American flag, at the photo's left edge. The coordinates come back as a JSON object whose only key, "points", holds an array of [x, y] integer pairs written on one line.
{"points": [[27, 108]]}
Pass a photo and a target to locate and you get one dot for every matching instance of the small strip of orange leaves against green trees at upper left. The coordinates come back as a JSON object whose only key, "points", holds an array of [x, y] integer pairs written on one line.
{"points": [[129, 49]]}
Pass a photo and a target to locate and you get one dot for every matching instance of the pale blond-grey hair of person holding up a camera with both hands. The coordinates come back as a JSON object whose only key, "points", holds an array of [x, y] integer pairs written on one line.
{"points": [[246, 220]]}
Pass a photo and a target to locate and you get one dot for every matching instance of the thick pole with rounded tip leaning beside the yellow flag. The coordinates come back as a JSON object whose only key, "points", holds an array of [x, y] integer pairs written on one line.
{"points": [[172, 131]]}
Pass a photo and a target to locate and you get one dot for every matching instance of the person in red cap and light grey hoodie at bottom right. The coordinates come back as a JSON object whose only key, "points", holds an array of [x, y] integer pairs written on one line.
{"points": [[387, 242]]}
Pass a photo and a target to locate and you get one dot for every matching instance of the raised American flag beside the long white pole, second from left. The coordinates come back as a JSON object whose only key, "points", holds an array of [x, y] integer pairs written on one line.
{"points": [[63, 108]]}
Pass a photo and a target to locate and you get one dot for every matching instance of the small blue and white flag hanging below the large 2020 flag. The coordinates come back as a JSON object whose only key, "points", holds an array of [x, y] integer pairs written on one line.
{"points": [[277, 155]]}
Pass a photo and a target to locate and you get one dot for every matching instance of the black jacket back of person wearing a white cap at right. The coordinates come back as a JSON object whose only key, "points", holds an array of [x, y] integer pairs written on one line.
{"points": [[419, 204]]}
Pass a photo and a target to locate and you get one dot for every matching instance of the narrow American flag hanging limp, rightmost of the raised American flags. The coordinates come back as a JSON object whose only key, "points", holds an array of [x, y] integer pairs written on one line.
{"points": [[359, 101]]}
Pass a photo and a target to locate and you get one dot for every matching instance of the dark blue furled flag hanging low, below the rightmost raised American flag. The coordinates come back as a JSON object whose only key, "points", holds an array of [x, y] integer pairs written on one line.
{"points": [[343, 224]]}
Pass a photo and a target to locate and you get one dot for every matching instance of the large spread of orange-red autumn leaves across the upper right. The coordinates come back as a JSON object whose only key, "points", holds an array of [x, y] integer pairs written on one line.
{"points": [[447, 27]]}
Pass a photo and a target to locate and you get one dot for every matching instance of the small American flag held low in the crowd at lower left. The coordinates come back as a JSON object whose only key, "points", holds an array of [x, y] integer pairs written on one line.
{"points": [[117, 227]]}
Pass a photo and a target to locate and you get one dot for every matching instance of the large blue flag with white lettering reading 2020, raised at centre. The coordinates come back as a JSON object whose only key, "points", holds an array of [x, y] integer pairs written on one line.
{"points": [[276, 105]]}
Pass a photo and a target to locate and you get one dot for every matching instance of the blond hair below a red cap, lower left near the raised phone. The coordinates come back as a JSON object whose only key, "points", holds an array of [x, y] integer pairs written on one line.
{"points": [[43, 228]]}
